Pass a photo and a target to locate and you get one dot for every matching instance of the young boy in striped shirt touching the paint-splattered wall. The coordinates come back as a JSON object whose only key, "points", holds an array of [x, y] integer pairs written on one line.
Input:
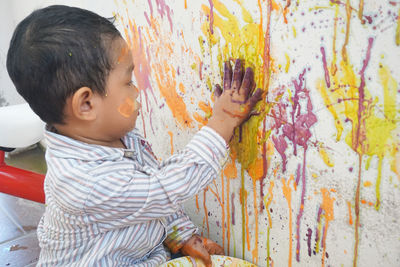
{"points": [[109, 202]]}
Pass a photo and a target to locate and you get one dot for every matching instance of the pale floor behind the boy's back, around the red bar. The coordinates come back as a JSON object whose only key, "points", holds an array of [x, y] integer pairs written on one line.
{"points": [[19, 217]]}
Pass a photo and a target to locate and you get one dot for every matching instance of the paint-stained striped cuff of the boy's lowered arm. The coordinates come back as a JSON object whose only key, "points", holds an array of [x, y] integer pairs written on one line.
{"points": [[179, 229]]}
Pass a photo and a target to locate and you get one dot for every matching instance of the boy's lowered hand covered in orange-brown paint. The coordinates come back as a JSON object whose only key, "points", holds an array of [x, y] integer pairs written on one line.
{"points": [[202, 248]]}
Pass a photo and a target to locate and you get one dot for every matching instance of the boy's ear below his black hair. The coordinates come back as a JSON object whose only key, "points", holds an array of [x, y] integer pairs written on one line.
{"points": [[83, 104]]}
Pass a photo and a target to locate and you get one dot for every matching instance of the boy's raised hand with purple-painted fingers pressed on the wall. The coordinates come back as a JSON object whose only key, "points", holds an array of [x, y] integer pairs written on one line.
{"points": [[233, 104]]}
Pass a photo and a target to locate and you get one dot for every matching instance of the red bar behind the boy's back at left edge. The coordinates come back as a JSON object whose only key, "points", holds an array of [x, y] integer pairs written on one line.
{"points": [[20, 182]]}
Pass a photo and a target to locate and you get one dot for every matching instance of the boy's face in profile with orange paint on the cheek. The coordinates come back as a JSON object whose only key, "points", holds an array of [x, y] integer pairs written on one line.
{"points": [[120, 107]]}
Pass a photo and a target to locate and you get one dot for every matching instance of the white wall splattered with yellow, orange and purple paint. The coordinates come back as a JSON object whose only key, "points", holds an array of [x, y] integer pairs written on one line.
{"points": [[313, 177]]}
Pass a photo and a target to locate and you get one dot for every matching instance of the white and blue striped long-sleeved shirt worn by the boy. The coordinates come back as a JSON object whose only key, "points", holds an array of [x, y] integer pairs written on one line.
{"points": [[118, 207]]}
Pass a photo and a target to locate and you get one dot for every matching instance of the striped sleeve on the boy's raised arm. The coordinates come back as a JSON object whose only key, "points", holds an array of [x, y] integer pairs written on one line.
{"points": [[127, 196]]}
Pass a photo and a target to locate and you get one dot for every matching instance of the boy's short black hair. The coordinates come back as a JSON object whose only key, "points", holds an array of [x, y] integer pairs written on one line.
{"points": [[57, 50]]}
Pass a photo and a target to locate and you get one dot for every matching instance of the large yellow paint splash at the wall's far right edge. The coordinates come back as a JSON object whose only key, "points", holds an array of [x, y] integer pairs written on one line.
{"points": [[376, 127]]}
